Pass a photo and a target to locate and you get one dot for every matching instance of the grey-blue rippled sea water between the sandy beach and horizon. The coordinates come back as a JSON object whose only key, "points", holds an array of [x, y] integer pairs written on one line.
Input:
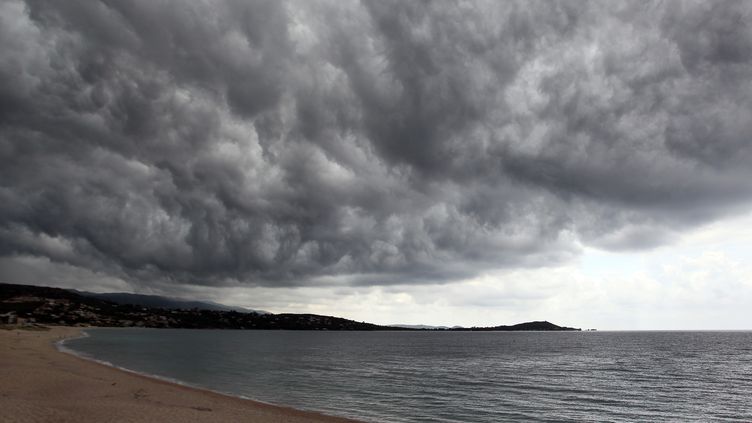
{"points": [[455, 376]]}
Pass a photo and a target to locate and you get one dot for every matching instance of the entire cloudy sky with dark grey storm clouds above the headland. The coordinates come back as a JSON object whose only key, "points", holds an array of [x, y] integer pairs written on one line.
{"points": [[444, 163]]}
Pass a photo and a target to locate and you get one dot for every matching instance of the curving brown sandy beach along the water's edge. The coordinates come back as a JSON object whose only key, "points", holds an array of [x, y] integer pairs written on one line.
{"points": [[38, 383]]}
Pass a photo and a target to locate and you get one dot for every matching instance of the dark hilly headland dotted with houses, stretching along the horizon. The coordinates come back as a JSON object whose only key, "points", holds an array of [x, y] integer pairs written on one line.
{"points": [[30, 305]]}
